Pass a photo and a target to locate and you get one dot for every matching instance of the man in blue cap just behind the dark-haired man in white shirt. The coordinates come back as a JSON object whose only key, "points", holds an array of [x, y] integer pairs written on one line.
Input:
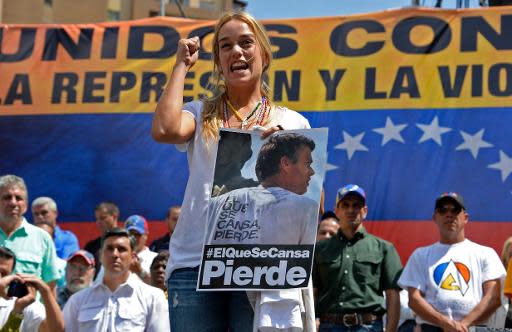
{"points": [[137, 226]]}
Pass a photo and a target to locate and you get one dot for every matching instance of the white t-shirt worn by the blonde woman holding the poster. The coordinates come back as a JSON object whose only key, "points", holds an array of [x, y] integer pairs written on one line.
{"points": [[187, 240]]}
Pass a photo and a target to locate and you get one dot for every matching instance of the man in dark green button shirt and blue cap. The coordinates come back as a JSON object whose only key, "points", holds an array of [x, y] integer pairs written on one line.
{"points": [[353, 270]]}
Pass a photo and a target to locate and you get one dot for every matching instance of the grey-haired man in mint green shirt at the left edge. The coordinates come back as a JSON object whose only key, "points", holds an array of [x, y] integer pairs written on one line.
{"points": [[33, 246]]}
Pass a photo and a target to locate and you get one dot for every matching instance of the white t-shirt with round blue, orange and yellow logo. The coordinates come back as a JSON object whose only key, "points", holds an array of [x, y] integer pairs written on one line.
{"points": [[450, 277]]}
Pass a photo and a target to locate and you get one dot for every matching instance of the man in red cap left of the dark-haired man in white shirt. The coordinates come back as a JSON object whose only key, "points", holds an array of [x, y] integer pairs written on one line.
{"points": [[79, 275]]}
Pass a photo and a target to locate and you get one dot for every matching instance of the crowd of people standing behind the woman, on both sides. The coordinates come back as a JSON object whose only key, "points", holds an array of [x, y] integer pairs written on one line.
{"points": [[358, 280]]}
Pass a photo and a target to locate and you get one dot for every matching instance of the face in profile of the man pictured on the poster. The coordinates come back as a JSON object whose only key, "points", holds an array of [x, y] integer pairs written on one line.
{"points": [[299, 173]]}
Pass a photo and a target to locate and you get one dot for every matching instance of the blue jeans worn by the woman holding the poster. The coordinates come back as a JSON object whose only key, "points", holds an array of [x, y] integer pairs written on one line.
{"points": [[208, 311]]}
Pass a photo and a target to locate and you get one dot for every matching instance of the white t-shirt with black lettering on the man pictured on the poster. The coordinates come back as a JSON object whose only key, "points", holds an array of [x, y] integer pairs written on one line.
{"points": [[259, 215]]}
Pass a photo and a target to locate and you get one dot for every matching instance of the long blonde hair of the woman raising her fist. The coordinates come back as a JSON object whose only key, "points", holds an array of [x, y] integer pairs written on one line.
{"points": [[212, 114]]}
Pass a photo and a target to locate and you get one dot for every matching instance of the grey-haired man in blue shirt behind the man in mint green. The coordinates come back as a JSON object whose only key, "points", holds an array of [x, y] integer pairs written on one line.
{"points": [[44, 211]]}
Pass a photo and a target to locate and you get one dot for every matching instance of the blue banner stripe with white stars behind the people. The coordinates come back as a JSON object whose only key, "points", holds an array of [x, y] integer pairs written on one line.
{"points": [[403, 159]]}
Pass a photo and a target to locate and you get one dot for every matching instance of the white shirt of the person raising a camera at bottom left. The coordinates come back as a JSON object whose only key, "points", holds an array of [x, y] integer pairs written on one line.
{"points": [[33, 314]]}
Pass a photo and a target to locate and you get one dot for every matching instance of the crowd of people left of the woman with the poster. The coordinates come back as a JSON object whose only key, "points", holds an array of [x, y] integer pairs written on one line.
{"points": [[46, 279]]}
